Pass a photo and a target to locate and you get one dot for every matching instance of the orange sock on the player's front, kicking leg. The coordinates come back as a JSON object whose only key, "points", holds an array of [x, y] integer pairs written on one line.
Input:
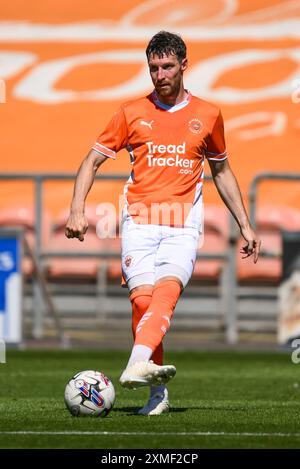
{"points": [[156, 320]]}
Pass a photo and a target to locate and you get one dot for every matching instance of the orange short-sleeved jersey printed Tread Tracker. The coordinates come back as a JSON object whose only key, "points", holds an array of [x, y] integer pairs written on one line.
{"points": [[167, 147]]}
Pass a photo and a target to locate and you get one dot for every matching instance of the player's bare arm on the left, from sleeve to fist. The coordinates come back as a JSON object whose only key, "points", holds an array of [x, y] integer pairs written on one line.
{"points": [[77, 224]]}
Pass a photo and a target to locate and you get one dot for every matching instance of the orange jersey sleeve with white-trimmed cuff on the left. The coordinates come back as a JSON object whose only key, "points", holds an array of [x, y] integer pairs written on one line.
{"points": [[114, 136]]}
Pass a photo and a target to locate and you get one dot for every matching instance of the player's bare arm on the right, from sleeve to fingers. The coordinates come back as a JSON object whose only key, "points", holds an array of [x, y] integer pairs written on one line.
{"points": [[230, 193]]}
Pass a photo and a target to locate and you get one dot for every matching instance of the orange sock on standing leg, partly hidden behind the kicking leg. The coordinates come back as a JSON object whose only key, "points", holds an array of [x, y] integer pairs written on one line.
{"points": [[140, 301]]}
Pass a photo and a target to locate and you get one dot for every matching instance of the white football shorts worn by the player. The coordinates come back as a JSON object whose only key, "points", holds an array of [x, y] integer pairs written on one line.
{"points": [[150, 252]]}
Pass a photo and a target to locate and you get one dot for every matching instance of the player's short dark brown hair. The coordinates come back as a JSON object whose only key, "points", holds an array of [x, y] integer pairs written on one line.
{"points": [[166, 43]]}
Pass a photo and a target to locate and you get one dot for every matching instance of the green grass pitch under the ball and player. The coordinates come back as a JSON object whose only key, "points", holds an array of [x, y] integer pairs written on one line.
{"points": [[218, 400]]}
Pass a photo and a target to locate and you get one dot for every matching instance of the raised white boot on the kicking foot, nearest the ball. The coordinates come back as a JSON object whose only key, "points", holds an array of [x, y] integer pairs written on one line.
{"points": [[146, 374]]}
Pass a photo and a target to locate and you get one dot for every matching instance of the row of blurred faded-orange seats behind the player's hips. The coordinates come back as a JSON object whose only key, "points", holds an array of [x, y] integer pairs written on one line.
{"points": [[270, 221]]}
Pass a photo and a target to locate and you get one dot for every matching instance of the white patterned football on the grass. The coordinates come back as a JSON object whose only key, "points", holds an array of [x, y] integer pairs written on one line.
{"points": [[89, 393]]}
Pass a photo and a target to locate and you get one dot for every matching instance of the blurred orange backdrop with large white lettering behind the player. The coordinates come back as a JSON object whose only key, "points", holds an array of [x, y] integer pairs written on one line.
{"points": [[251, 48]]}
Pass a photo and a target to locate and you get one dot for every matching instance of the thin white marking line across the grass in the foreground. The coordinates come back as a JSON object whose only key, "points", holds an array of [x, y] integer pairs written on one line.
{"points": [[25, 432]]}
